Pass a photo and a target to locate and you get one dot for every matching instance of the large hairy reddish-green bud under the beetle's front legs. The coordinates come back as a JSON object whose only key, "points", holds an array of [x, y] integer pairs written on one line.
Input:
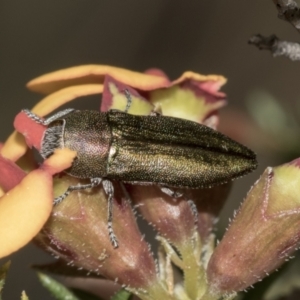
{"points": [[77, 232]]}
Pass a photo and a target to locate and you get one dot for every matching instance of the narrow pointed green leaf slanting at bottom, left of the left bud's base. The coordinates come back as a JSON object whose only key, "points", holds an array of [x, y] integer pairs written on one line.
{"points": [[56, 289]]}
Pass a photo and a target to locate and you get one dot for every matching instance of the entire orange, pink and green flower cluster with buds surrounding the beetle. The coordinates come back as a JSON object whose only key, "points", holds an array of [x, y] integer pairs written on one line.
{"points": [[264, 232]]}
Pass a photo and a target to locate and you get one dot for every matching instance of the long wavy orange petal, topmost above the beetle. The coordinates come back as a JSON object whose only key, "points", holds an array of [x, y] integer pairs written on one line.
{"points": [[54, 81]]}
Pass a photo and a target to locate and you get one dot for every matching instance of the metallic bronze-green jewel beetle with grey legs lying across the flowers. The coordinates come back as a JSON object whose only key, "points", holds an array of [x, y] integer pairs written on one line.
{"points": [[155, 149]]}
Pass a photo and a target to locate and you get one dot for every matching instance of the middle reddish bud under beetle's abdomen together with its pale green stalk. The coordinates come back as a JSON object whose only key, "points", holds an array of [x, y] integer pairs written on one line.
{"points": [[184, 225]]}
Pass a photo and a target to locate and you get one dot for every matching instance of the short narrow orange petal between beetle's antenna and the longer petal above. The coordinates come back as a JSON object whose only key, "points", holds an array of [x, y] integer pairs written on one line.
{"points": [[57, 99]]}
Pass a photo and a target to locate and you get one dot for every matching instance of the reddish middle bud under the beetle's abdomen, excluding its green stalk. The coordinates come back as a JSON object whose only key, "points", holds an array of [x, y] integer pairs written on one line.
{"points": [[177, 219]]}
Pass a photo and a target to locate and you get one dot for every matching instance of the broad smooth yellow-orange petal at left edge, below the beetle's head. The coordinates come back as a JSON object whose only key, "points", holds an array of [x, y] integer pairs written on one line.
{"points": [[24, 210]]}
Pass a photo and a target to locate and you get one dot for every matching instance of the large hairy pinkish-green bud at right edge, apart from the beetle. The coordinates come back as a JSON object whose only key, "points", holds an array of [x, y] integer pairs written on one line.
{"points": [[264, 233]]}
